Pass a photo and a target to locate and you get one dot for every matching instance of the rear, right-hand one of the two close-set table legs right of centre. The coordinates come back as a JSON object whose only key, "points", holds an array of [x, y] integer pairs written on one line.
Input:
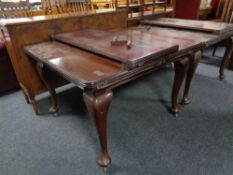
{"points": [[193, 62]]}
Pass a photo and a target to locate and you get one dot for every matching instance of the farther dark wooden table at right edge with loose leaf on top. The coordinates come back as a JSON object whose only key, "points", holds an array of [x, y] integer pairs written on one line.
{"points": [[223, 31]]}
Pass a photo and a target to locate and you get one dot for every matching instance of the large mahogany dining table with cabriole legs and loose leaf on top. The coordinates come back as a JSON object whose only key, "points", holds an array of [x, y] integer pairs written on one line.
{"points": [[97, 61]]}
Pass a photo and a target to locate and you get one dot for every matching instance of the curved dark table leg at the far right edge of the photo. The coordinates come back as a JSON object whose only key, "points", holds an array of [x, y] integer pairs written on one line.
{"points": [[227, 54]]}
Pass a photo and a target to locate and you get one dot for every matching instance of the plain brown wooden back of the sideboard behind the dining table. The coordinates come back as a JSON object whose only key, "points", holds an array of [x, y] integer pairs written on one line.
{"points": [[28, 31]]}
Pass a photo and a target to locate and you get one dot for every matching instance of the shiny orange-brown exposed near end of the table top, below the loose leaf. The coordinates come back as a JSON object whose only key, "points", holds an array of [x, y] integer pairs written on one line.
{"points": [[84, 69]]}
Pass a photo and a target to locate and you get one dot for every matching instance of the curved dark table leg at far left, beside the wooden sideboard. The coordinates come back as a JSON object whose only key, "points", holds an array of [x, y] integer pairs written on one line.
{"points": [[53, 103]]}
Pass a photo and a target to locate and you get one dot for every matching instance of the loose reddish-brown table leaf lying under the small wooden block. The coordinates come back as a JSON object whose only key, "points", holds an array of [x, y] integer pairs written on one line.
{"points": [[145, 46]]}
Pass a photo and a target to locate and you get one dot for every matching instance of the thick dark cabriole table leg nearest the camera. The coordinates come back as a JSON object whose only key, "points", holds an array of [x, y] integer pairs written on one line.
{"points": [[98, 104]]}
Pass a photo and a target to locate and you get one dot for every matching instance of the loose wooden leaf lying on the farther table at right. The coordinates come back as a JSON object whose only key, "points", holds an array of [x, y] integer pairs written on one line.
{"points": [[218, 28]]}
